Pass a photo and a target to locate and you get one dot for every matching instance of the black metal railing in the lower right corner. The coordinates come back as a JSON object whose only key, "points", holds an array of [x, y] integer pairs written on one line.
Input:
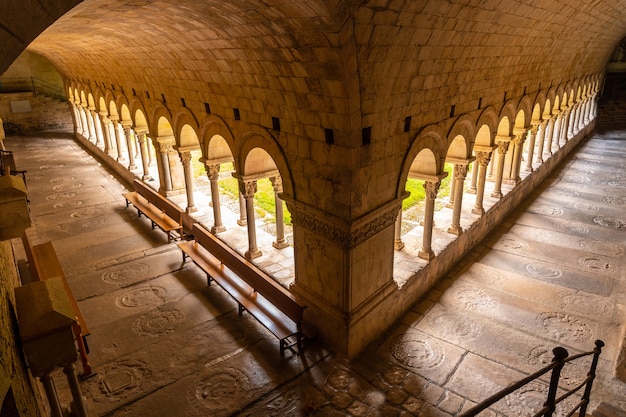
{"points": [[559, 360]]}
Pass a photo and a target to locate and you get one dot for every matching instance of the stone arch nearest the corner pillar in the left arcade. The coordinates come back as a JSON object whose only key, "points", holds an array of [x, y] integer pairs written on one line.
{"points": [[244, 166]]}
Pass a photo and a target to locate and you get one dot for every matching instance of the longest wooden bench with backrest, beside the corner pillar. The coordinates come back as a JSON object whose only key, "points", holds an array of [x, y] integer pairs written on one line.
{"points": [[253, 290]]}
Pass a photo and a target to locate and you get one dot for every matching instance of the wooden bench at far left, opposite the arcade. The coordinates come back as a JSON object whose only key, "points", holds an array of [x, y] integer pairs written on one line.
{"points": [[43, 263]]}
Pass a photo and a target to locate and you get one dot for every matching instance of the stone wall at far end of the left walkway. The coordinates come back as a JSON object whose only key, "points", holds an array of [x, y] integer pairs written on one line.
{"points": [[45, 113]]}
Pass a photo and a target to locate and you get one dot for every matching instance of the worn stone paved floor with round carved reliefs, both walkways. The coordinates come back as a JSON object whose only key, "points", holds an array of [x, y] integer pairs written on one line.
{"points": [[165, 344]]}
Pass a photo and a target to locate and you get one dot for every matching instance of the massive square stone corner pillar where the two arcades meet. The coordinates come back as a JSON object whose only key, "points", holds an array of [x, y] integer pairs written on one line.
{"points": [[344, 272]]}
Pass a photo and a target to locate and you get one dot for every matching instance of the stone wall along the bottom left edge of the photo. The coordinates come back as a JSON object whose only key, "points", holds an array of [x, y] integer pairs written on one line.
{"points": [[15, 378]]}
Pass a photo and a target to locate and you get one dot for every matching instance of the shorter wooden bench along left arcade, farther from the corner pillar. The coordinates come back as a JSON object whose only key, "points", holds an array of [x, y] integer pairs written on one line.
{"points": [[161, 211]]}
